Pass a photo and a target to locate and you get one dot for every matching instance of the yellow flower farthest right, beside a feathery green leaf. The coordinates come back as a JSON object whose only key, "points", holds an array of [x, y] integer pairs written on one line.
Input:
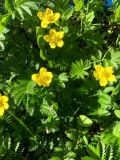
{"points": [[104, 75]]}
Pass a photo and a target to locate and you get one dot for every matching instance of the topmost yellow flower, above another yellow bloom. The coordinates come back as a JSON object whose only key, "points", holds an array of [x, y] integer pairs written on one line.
{"points": [[48, 17]]}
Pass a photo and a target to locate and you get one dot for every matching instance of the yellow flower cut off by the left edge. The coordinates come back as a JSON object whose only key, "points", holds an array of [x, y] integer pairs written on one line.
{"points": [[3, 104]]}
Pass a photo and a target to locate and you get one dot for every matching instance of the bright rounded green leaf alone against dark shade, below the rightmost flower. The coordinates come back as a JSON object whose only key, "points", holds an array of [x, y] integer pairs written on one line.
{"points": [[84, 121]]}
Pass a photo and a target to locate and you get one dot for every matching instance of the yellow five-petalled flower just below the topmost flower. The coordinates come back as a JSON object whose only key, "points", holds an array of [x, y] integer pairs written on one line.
{"points": [[54, 38]]}
